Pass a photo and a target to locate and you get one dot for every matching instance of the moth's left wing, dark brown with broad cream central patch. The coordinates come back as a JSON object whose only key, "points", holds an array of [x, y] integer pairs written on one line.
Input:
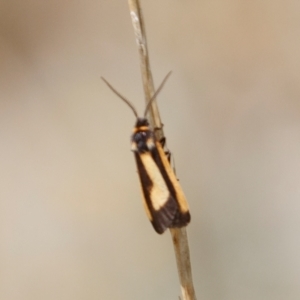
{"points": [[160, 205]]}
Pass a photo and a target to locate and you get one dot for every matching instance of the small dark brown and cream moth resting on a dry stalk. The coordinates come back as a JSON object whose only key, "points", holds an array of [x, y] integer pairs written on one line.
{"points": [[164, 200]]}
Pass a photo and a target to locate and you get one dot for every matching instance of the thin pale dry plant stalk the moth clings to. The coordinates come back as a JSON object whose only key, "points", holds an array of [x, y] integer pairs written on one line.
{"points": [[179, 235]]}
